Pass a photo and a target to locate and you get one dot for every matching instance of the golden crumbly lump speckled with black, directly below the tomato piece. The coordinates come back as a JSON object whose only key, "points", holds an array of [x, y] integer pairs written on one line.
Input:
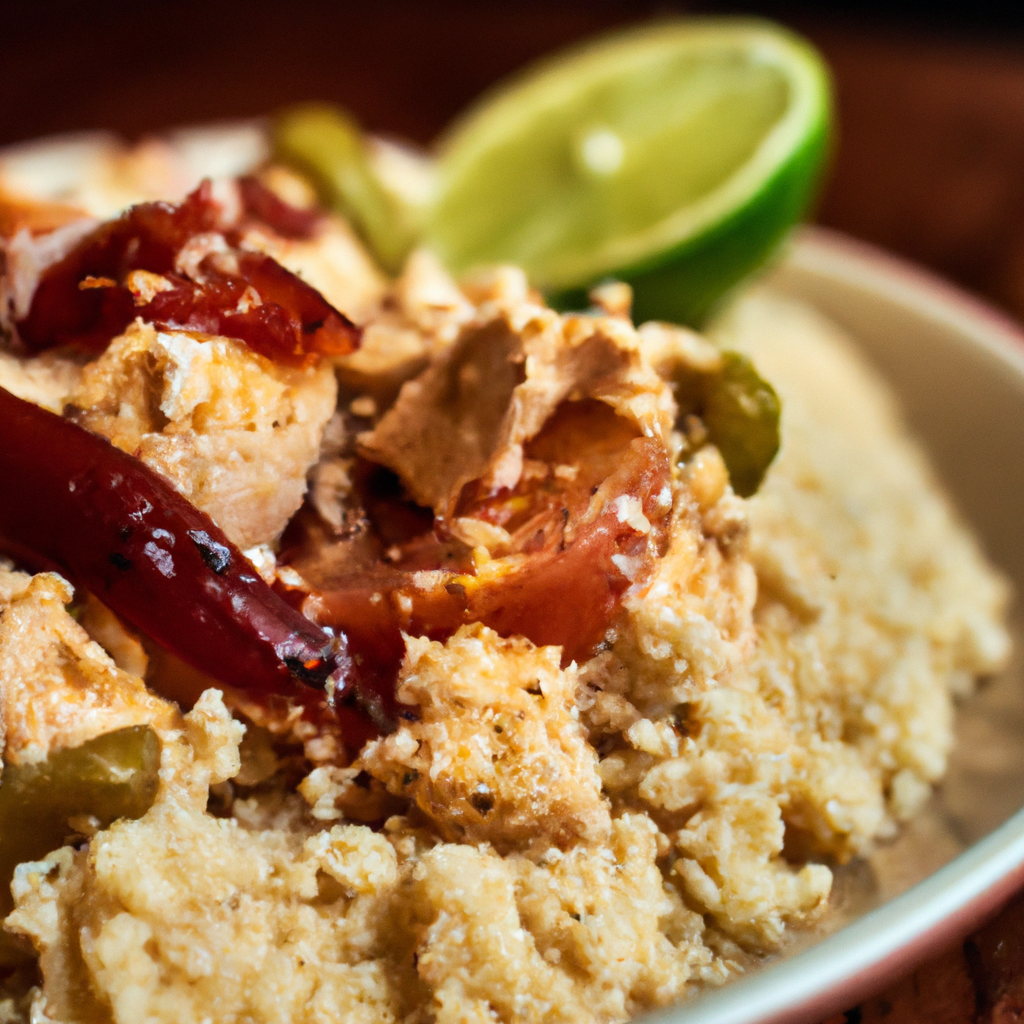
{"points": [[498, 755]]}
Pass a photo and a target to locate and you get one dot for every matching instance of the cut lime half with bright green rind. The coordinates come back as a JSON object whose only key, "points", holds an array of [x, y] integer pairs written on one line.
{"points": [[674, 157]]}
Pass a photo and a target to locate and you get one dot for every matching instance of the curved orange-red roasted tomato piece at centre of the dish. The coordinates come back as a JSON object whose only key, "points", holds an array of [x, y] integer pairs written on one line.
{"points": [[586, 524]]}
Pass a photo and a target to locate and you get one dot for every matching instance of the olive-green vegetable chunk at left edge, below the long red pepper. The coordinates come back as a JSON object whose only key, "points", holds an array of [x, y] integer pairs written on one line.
{"points": [[112, 777]]}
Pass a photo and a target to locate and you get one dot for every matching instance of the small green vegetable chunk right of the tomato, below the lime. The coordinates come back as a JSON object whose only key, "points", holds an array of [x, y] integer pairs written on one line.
{"points": [[741, 412]]}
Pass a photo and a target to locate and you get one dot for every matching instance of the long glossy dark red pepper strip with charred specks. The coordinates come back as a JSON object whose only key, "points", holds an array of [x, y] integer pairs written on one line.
{"points": [[73, 502]]}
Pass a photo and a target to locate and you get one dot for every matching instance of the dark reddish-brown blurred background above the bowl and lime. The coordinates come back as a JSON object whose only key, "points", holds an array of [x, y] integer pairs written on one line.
{"points": [[930, 160]]}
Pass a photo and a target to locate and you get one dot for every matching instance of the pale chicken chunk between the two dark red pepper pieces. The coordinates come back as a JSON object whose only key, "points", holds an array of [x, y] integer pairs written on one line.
{"points": [[233, 433]]}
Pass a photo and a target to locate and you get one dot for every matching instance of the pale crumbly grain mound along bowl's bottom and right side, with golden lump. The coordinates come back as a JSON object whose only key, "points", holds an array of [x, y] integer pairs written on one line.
{"points": [[788, 680]]}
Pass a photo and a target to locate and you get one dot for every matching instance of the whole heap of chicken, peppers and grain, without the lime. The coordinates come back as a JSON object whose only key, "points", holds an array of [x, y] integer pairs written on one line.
{"points": [[592, 692]]}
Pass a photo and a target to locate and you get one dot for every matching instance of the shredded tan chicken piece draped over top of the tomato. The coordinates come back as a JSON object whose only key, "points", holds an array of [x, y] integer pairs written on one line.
{"points": [[470, 414]]}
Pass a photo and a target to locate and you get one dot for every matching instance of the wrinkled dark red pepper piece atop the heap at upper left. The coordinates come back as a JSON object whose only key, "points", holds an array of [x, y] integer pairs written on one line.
{"points": [[86, 301]]}
